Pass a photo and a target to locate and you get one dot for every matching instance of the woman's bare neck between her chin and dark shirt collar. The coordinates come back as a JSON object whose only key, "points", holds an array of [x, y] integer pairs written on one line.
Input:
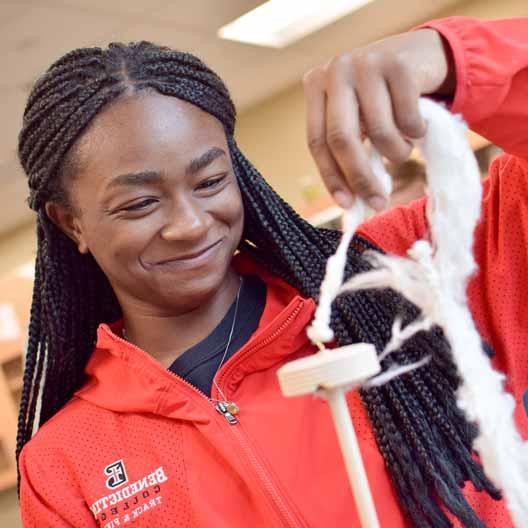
{"points": [[166, 337]]}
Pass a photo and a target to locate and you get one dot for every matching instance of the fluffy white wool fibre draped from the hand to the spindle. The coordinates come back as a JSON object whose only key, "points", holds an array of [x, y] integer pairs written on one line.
{"points": [[434, 277]]}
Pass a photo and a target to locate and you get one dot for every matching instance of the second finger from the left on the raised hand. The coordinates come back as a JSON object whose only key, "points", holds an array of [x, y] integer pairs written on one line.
{"points": [[343, 136]]}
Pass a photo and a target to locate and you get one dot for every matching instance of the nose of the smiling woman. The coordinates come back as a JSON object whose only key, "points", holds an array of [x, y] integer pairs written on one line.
{"points": [[185, 222]]}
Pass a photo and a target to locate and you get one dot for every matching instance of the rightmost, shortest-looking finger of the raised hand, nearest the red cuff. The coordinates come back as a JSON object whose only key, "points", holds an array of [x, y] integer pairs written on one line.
{"points": [[405, 94]]}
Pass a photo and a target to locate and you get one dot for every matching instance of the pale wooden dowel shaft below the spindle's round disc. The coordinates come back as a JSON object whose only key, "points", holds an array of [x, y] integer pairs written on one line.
{"points": [[352, 456]]}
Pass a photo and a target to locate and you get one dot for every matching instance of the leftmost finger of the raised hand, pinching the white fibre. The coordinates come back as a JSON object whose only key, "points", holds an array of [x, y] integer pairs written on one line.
{"points": [[315, 104]]}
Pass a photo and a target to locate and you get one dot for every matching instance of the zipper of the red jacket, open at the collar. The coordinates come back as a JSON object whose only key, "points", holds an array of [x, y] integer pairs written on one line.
{"points": [[222, 408]]}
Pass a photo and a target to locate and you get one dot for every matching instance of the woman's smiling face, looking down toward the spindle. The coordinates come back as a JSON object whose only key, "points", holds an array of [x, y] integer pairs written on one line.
{"points": [[157, 202]]}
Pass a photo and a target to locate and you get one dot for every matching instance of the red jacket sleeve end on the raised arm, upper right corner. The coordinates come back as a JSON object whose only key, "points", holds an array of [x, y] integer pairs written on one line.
{"points": [[491, 62]]}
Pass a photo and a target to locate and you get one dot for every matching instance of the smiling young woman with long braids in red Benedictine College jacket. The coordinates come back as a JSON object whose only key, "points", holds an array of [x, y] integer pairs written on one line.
{"points": [[155, 350]]}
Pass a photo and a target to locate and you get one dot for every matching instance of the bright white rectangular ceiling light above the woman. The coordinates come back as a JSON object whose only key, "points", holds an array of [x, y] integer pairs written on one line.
{"points": [[277, 23]]}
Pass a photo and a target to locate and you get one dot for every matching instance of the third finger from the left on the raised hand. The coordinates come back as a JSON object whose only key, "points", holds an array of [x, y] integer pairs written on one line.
{"points": [[377, 110]]}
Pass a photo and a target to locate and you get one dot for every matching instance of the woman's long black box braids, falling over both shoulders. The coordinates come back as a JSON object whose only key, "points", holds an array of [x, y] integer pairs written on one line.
{"points": [[422, 435]]}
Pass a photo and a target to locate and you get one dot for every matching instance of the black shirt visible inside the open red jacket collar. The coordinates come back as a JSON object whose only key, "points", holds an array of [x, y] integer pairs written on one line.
{"points": [[198, 364]]}
